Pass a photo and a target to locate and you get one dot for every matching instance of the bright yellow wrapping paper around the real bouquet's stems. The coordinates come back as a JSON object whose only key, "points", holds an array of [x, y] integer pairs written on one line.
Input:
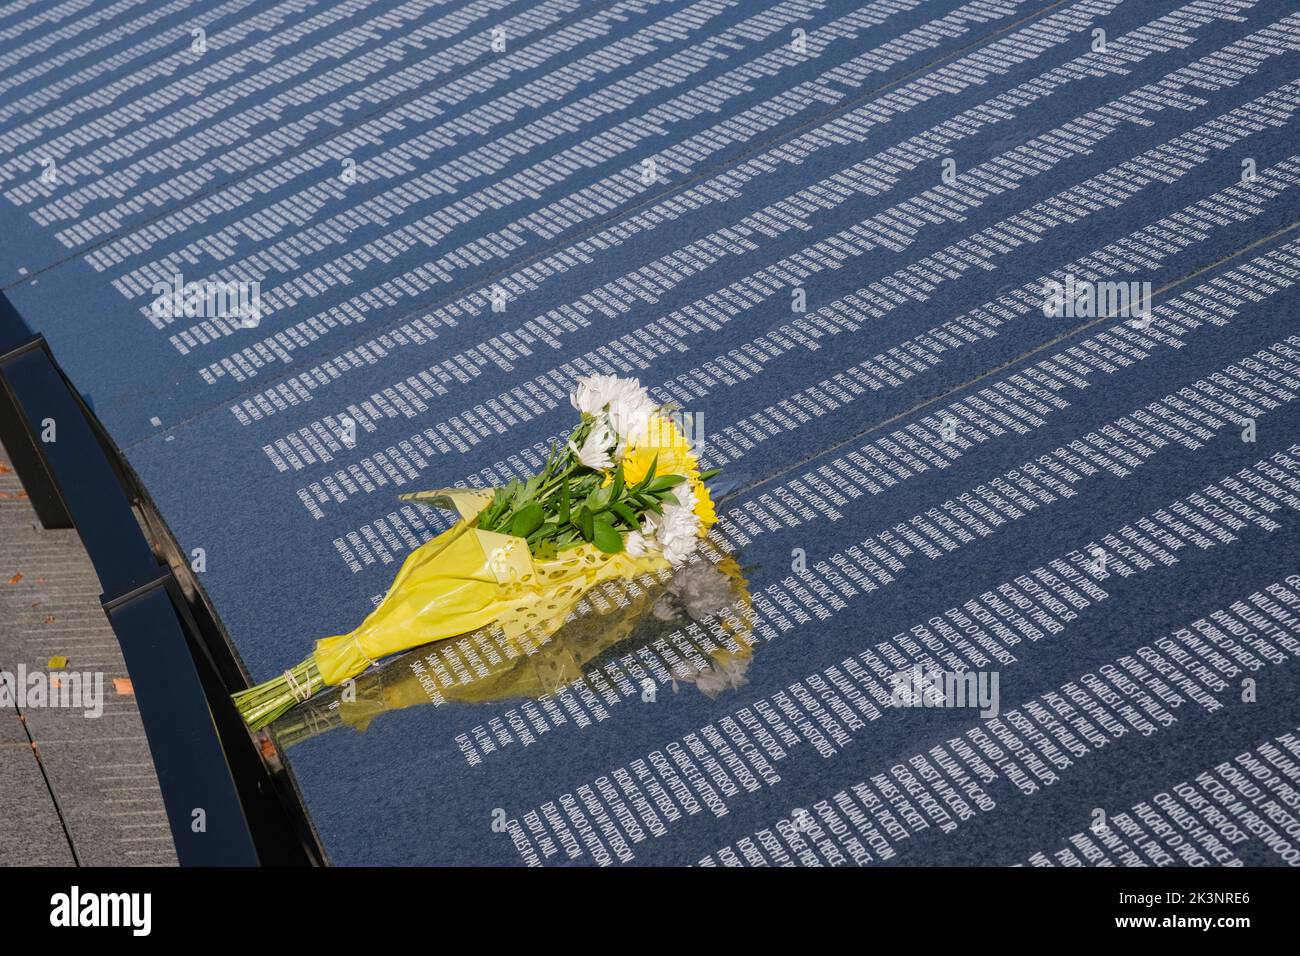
{"points": [[466, 579]]}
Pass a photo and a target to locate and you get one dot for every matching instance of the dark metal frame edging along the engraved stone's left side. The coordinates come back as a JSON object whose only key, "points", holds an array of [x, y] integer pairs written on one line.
{"points": [[181, 667]]}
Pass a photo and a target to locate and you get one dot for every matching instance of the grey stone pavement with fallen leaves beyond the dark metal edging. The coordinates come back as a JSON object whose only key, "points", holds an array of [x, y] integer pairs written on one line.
{"points": [[73, 790]]}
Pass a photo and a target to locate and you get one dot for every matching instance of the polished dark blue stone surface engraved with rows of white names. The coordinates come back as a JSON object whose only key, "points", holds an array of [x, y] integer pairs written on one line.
{"points": [[913, 175]]}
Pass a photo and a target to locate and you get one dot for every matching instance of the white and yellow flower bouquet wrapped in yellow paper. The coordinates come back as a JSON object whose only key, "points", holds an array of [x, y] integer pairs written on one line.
{"points": [[623, 498]]}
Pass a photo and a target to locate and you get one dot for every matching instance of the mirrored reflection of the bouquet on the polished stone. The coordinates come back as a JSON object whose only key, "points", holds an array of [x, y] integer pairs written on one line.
{"points": [[631, 616]]}
